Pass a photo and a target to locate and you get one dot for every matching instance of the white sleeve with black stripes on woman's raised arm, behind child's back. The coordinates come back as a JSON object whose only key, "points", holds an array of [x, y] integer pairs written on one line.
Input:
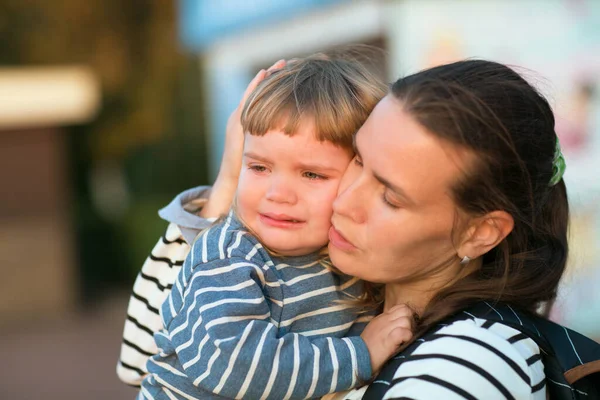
{"points": [[151, 288]]}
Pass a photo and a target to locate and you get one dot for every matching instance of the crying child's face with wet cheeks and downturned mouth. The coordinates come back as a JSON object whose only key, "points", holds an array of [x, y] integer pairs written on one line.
{"points": [[287, 187]]}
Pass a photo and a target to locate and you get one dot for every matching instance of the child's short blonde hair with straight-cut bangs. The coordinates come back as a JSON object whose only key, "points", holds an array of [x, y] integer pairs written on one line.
{"points": [[335, 92]]}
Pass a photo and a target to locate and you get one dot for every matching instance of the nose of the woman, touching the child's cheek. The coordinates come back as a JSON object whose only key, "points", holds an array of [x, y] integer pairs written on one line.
{"points": [[351, 200]]}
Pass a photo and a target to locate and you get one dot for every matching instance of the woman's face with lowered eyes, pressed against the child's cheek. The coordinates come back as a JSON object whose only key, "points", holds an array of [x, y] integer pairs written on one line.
{"points": [[394, 214]]}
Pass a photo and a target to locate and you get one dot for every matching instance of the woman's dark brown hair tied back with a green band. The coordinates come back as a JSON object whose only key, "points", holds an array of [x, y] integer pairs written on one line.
{"points": [[508, 125]]}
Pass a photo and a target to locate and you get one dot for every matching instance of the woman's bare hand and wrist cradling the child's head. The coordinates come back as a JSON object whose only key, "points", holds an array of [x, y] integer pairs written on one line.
{"points": [[225, 185]]}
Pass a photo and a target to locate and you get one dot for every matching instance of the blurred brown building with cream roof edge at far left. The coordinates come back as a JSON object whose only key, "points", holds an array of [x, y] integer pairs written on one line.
{"points": [[37, 248]]}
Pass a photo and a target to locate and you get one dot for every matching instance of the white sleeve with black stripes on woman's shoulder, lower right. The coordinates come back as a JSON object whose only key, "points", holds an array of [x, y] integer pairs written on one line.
{"points": [[465, 361]]}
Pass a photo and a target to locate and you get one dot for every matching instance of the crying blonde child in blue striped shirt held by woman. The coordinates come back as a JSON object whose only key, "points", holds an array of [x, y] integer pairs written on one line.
{"points": [[237, 307]]}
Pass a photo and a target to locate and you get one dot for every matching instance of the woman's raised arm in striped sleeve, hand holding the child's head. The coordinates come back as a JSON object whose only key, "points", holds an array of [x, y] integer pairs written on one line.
{"points": [[158, 273]]}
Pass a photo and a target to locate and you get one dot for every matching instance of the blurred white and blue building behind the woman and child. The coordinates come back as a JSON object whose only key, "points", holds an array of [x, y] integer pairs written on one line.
{"points": [[556, 42]]}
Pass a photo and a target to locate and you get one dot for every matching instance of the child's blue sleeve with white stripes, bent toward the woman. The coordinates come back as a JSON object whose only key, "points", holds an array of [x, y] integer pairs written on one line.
{"points": [[228, 344]]}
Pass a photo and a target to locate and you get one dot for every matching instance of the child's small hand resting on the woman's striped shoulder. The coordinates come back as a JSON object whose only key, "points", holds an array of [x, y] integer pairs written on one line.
{"points": [[386, 332]]}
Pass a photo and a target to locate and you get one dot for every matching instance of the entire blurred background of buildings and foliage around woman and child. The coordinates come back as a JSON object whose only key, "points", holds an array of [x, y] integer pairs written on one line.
{"points": [[110, 108]]}
